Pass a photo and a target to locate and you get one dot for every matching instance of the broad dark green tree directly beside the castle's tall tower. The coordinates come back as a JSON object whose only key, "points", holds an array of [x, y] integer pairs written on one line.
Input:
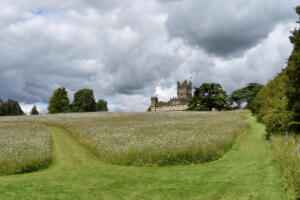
{"points": [[209, 96]]}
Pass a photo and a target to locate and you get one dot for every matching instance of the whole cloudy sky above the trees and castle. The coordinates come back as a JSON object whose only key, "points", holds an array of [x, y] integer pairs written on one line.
{"points": [[130, 50]]}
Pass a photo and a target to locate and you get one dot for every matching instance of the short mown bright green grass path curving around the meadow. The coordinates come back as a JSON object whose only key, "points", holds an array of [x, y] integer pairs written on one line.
{"points": [[246, 172]]}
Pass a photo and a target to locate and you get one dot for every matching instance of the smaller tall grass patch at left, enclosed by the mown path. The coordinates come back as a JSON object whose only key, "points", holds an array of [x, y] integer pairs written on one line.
{"points": [[24, 147]]}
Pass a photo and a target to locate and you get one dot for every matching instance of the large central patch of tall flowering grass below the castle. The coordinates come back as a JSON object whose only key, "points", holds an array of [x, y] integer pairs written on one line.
{"points": [[147, 139]]}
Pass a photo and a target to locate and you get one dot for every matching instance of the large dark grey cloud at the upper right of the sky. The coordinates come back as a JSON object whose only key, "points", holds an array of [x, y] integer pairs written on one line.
{"points": [[227, 28]]}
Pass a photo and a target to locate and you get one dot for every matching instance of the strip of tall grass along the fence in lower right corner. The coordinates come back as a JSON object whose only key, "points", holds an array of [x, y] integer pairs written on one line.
{"points": [[289, 160]]}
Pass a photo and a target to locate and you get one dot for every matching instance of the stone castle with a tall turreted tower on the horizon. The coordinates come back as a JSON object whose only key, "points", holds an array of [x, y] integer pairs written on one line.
{"points": [[179, 103]]}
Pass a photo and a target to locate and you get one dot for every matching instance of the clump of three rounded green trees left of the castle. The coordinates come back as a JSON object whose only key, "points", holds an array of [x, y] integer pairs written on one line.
{"points": [[84, 101]]}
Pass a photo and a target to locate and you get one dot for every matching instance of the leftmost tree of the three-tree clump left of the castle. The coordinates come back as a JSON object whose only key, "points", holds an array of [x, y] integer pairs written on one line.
{"points": [[59, 101]]}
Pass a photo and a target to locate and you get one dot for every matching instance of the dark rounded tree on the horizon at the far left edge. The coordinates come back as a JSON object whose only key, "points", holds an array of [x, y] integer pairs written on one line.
{"points": [[10, 108]]}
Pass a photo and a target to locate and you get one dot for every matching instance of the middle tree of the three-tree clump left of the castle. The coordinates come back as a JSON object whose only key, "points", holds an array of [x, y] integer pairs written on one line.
{"points": [[84, 101]]}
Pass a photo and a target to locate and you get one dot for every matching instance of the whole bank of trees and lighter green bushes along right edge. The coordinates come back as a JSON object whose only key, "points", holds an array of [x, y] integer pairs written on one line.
{"points": [[278, 103]]}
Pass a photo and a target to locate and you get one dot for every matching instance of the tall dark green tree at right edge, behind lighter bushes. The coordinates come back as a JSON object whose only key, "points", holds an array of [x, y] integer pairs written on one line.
{"points": [[293, 78]]}
